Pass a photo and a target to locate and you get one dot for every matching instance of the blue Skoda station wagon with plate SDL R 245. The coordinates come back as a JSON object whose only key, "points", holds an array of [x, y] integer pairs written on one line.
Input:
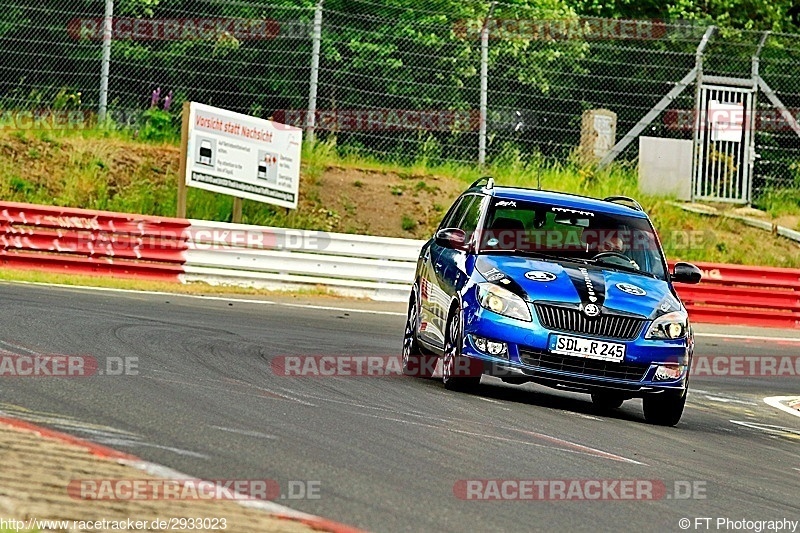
{"points": [[562, 290]]}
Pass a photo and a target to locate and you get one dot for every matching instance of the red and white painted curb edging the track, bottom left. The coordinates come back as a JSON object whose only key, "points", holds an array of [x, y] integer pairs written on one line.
{"points": [[273, 509]]}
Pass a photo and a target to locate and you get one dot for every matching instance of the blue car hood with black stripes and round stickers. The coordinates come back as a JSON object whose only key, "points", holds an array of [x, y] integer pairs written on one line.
{"points": [[578, 283]]}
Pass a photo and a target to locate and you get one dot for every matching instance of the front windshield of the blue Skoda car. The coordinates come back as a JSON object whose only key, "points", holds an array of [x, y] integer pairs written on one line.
{"points": [[616, 241]]}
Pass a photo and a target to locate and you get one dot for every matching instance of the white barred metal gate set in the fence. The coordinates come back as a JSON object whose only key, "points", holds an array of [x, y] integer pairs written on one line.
{"points": [[724, 144]]}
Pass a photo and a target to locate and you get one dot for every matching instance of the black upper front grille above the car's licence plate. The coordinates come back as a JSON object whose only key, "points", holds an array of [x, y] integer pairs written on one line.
{"points": [[614, 326]]}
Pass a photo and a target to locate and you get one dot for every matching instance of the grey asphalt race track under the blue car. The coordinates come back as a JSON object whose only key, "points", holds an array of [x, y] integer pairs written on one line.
{"points": [[388, 451]]}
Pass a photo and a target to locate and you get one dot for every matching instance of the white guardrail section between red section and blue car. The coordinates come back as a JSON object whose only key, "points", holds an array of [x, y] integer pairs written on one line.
{"points": [[381, 268]]}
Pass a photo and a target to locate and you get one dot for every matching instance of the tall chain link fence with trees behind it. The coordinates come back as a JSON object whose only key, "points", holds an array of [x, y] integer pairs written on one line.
{"points": [[401, 80]]}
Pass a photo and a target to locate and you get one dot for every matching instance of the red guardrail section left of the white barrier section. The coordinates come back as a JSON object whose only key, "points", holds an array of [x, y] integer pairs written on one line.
{"points": [[82, 241]]}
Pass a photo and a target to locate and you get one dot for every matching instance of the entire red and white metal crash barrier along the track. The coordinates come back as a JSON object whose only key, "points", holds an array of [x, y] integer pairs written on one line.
{"points": [[382, 268]]}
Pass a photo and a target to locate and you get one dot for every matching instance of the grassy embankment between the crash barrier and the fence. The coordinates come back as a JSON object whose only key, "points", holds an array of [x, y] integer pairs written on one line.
{"points": [[85, 161]]}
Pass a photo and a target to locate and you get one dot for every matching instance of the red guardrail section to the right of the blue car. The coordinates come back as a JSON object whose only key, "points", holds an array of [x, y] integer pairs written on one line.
{"points": [[744, 295]]}
